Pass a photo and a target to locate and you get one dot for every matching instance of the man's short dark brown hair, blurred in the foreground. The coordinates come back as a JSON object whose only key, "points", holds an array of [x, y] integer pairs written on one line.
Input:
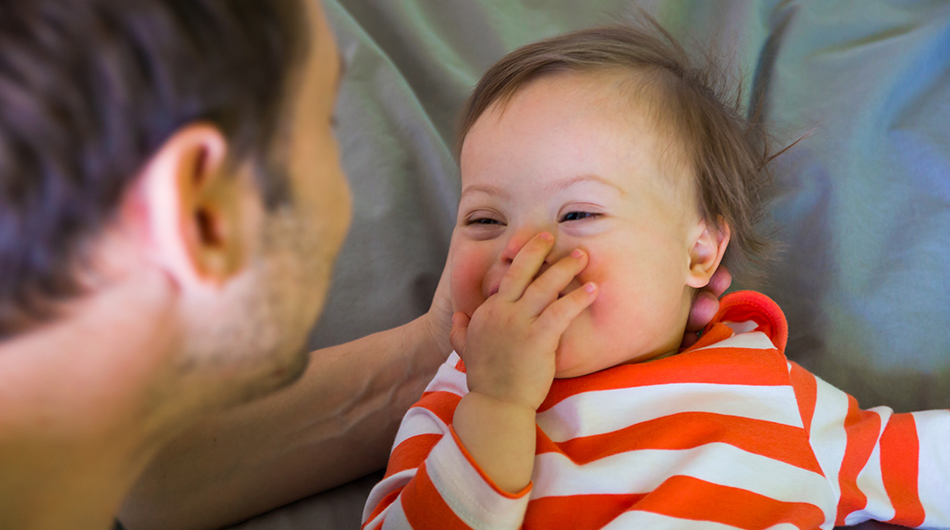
{"points": [[91, 89]]}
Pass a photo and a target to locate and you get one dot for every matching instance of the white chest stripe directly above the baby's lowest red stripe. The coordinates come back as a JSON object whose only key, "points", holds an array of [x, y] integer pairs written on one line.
{"points": [[645, 470]]}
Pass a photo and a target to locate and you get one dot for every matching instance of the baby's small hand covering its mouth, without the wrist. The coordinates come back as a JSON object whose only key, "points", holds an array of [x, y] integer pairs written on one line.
{"points": [[508, 345]]}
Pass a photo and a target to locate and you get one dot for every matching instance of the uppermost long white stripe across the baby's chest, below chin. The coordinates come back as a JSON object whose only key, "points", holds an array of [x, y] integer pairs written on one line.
{"points": [[603, 411]]}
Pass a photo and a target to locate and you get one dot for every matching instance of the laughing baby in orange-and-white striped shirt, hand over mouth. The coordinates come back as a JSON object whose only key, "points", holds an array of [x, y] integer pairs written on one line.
{"points": [[603, 183]]}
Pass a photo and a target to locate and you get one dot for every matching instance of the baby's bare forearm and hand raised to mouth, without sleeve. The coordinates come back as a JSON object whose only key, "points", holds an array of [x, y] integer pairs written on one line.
{"points": [[508, 349]]}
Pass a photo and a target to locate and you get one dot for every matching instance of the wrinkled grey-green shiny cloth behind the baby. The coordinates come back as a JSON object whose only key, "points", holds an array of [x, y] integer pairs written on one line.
{"points": [[862, 202]]}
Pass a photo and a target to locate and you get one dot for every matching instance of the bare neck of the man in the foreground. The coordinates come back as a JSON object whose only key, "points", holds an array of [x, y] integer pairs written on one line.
{"points": [[80, 416]]}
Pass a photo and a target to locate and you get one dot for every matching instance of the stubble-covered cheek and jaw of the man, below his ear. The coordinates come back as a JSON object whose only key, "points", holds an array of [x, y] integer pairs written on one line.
{"points": [[257, 344]]}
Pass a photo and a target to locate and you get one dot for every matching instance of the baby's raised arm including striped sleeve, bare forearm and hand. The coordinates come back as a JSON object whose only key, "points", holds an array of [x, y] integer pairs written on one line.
{"points": [[477, 473]]}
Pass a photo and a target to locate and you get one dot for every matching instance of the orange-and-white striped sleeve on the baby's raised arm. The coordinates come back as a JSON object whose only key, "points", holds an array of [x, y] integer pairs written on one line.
{"points": [[431, 480]]}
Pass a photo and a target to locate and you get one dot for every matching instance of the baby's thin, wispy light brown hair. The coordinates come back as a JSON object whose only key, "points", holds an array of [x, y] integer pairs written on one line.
{"points": [[727, 153]]}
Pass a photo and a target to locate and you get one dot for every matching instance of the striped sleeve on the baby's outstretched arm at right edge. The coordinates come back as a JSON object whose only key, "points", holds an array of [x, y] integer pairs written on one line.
{"points": [[882, 466]]}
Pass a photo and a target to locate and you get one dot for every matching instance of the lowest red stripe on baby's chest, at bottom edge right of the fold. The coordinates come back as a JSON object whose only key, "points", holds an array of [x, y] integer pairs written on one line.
{"points": [[697, 500]]}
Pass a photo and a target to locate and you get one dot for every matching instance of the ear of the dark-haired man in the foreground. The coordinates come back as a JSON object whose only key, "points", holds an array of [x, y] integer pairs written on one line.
{"points": [[195, 208]]}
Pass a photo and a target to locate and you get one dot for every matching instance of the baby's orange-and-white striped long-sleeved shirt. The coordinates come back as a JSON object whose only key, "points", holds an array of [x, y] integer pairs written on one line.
{"points": [[726, 434]]}
